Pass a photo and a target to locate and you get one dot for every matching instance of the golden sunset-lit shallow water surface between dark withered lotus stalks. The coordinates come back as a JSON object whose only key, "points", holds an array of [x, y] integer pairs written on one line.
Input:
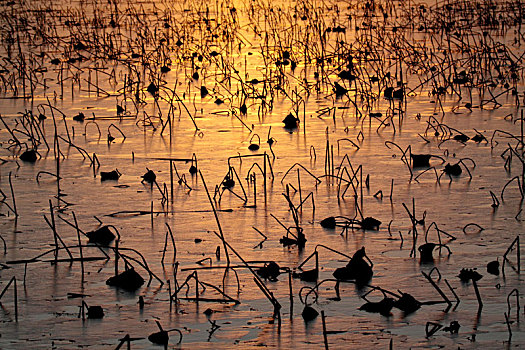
{"points": [[48, 318]]}
